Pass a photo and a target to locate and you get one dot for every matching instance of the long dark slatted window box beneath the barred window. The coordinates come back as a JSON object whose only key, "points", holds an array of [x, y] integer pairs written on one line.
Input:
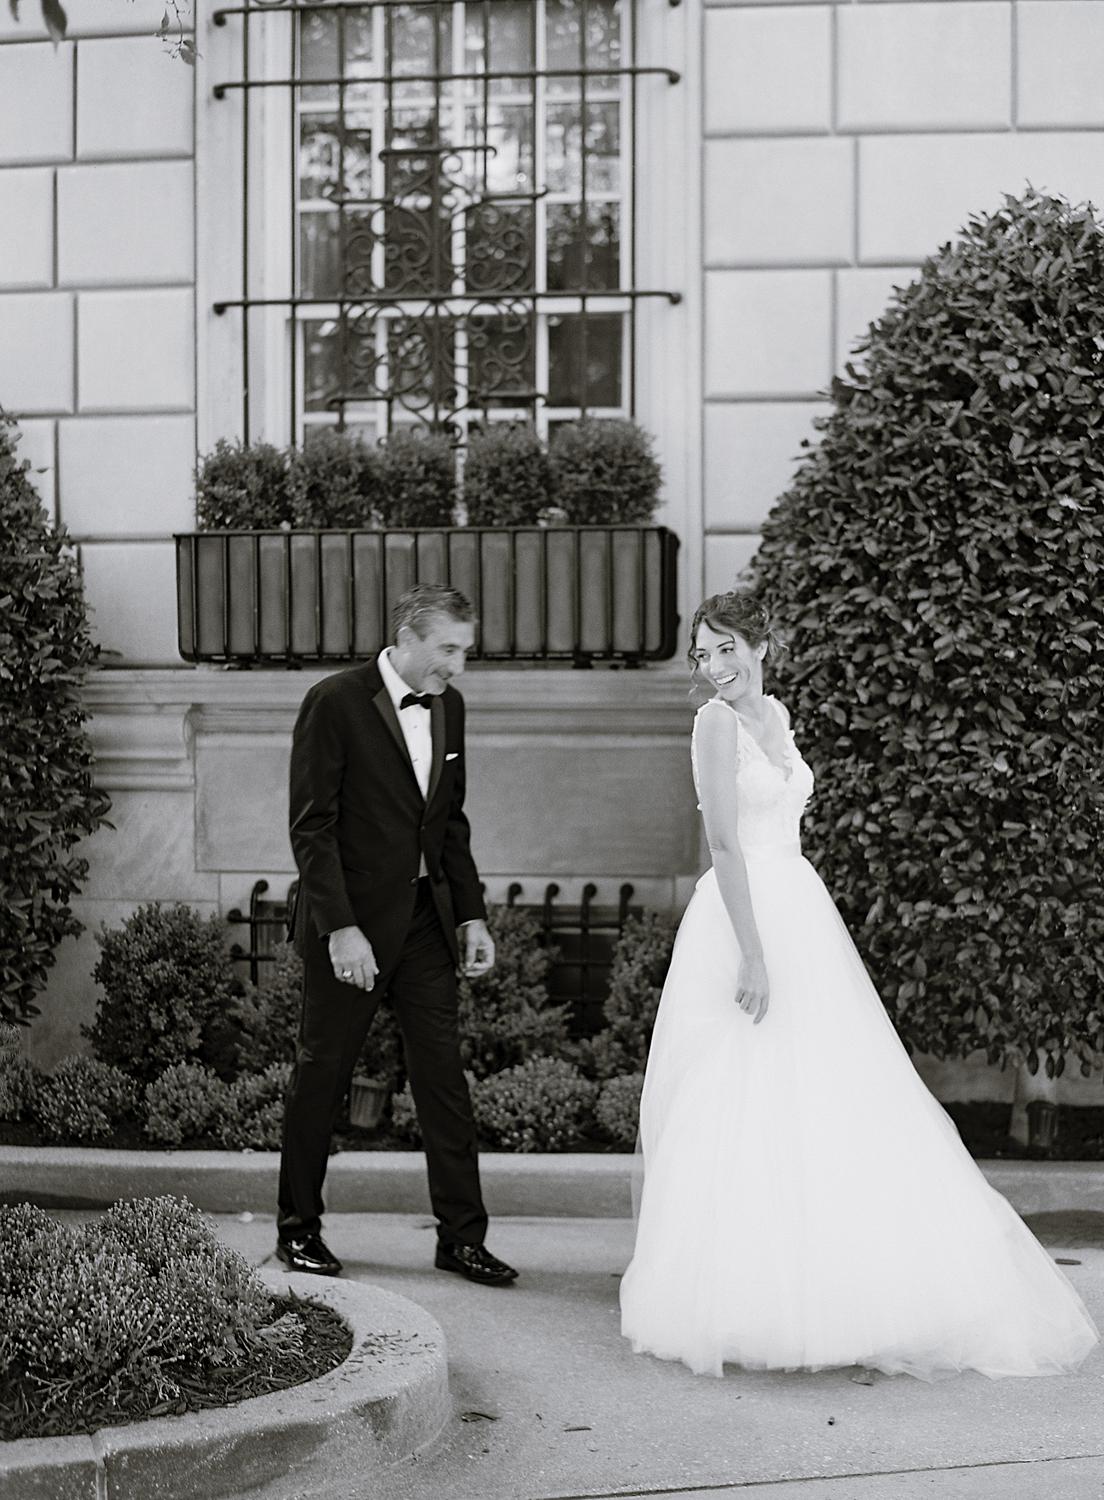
{"points": [[574, 595]]}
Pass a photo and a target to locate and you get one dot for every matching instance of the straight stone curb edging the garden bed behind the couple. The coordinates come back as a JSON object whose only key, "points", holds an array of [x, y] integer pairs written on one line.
{"points": [[571, 1186]]}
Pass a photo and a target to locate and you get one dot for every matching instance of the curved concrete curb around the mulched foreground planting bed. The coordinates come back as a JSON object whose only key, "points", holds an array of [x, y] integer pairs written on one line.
{"points": [[385, 1403]]}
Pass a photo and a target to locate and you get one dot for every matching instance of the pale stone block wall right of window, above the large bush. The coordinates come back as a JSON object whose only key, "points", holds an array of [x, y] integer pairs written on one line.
{"points": [[842, 145]]}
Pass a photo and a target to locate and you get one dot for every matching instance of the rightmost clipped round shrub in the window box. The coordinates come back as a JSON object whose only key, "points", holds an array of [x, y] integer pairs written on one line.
{"points": [[605, 472]]}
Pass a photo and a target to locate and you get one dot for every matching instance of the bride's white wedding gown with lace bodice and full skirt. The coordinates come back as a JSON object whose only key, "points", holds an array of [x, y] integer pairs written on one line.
{"points": [[806, 1202]]}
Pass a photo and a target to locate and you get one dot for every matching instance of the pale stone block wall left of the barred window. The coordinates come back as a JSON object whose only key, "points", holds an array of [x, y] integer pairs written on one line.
{"points": [[98, 298]]}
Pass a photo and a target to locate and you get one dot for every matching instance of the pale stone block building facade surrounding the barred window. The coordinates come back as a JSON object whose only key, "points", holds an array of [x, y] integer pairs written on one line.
{"points": [[802, 166]]}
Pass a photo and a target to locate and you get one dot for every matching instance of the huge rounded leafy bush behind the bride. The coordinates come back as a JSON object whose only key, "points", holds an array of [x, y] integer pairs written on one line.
{"points": [[938, 563]]}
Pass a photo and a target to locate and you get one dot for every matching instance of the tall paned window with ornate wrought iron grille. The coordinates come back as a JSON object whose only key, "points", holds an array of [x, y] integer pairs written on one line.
{"points": [[424, 284]]}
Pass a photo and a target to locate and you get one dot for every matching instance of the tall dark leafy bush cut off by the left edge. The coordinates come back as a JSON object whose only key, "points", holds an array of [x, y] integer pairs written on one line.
{"points": [[46, 758]]}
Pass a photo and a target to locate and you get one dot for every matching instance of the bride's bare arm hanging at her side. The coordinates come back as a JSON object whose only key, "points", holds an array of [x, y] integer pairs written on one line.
{"points": [[716, 751]]}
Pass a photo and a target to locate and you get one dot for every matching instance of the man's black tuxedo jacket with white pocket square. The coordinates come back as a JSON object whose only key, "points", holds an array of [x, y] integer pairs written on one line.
{"points": [[361, 826]]}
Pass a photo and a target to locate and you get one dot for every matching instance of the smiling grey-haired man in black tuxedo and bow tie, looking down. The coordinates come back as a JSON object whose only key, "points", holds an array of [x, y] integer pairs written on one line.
{"points": [[389, 905]]}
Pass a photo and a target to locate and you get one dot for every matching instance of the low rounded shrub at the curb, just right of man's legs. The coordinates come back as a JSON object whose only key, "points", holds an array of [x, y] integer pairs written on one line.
{"points": [[542, 1105]]}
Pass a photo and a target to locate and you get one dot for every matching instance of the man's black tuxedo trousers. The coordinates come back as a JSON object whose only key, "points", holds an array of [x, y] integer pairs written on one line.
{"points": [[422, 991]]}
